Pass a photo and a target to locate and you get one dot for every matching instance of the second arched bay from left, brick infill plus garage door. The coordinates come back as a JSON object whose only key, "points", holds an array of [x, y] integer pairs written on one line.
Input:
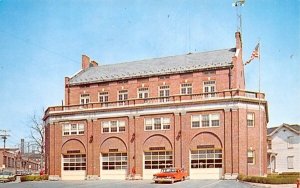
{"points": [[113, 159]]}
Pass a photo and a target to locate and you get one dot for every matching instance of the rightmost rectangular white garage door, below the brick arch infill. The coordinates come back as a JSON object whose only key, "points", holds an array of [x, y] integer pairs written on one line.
{"points": [[206, 164]]}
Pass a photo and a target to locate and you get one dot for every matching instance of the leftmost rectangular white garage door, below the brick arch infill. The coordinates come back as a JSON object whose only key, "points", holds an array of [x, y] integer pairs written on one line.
{"points": [[73, 167]]}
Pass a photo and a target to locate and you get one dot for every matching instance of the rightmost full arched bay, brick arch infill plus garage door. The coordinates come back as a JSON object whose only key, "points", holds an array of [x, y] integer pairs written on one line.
{"points": [[206, 157]]}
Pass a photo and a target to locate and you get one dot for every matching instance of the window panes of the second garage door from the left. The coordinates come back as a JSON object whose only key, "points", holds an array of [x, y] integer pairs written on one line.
{"points": [[114, 161]]}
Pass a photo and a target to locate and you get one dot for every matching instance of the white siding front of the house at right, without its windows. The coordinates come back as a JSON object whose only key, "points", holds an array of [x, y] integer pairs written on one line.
{"points": [[279, 146]]}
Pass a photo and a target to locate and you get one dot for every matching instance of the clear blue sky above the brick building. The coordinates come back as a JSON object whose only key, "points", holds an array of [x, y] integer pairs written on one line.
{"points": [[41, 42]]}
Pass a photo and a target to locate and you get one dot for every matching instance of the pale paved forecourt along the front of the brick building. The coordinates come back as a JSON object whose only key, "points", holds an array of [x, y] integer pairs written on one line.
{"points": [[128, 184]]}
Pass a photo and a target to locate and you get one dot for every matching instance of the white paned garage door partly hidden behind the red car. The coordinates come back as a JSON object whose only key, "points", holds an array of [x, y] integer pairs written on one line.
{"points": [[156, 160]]}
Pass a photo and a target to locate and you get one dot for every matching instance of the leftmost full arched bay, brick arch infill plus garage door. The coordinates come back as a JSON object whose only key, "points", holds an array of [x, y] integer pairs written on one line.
{"points": [[73, 161]]}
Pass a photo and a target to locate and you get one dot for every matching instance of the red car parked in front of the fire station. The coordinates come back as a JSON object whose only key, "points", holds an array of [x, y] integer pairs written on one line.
{"points": [[170, 175]]}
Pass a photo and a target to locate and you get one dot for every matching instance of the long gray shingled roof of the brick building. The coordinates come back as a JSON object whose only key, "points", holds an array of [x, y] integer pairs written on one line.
{"points": [[154, 67]]}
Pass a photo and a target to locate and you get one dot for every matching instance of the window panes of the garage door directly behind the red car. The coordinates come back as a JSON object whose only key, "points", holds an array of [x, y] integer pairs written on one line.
{"points": [[158, 159]]}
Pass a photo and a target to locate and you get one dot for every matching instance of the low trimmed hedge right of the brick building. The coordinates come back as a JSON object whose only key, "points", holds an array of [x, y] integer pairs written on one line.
{"points": [[270, 179]]}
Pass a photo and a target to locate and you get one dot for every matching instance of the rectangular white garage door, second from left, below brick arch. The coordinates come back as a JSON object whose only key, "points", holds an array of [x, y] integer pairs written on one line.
{"points": [[113, 165]]}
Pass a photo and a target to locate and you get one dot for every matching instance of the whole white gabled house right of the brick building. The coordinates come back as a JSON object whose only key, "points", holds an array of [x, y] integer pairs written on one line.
{"points": [[284, 148]]}
